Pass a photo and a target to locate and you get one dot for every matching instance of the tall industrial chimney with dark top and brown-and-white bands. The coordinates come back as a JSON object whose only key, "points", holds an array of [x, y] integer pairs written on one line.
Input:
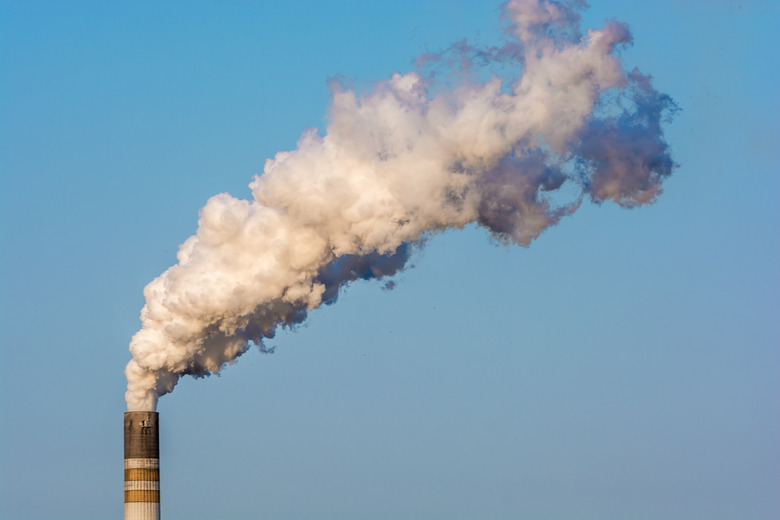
{"points": [[142, 466]]}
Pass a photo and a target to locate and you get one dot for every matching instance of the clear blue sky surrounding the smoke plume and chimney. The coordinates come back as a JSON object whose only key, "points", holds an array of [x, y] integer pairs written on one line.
{"points": [[624, 366]]}
